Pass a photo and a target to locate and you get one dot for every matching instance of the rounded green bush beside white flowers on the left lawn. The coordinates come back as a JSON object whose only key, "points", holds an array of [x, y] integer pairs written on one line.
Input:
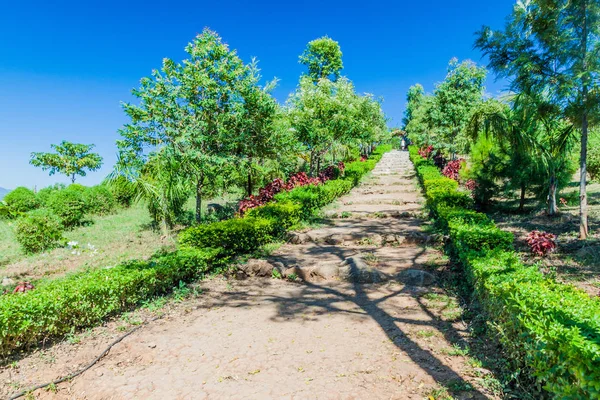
{"points": [[39, 230]]}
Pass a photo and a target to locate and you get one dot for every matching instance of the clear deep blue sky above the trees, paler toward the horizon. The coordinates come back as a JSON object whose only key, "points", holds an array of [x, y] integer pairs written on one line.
{"points": [[66, 65]]}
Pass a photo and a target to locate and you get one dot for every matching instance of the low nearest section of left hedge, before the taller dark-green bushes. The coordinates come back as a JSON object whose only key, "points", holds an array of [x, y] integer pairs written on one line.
{"points": [[85, 299]]}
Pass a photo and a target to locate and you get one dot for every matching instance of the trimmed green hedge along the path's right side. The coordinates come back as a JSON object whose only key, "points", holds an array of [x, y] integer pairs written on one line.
{"points": [[551, 329]]}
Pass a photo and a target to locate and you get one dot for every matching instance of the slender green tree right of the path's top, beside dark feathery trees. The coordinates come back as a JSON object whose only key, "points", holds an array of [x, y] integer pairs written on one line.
{"points": [[455, 99]]}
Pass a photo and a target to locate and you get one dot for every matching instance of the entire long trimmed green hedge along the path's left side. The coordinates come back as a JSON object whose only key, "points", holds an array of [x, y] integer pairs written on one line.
{"points": [[64, 305]]}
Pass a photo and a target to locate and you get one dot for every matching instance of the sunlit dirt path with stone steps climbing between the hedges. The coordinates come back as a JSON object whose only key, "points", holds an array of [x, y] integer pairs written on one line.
{"points": [[340, 336]]}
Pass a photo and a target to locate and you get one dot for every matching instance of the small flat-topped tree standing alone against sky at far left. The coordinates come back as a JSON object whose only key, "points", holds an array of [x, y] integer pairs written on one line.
{"points": [[70, 159]]}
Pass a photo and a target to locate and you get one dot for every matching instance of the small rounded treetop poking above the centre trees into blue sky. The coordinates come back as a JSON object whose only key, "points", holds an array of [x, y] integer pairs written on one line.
{"points": [[323, 57]]}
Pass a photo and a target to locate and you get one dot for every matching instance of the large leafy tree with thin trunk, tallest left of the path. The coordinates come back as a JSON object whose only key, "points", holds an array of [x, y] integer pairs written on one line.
{"points": [[193, 108]]}
